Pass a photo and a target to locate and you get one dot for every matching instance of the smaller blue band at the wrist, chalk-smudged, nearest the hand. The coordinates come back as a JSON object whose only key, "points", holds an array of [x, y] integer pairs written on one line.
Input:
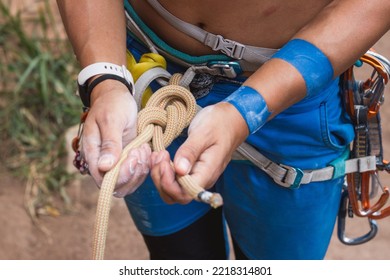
{"points": [[251, 106]]}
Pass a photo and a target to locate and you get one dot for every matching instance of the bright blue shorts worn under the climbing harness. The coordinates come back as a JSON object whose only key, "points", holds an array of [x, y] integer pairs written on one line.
{"points": [[266, 220]]}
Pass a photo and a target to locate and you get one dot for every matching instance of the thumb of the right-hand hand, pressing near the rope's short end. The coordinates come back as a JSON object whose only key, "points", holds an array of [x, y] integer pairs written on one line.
{"points": [[187, 155]]}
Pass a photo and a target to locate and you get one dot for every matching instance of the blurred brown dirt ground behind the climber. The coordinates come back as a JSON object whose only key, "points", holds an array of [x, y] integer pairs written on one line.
{"points": [[69, 235]]}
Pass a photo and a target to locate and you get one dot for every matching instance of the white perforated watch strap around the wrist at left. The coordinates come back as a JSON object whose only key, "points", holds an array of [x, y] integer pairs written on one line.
{"points": [[104, 68]]}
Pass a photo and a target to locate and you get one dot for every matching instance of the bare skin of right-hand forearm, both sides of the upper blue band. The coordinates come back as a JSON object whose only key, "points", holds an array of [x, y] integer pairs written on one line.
{"points": [[343, 31]]}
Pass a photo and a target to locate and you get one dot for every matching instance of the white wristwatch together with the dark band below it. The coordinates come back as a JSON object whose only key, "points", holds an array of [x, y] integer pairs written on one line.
{"points": [[106, 71]]}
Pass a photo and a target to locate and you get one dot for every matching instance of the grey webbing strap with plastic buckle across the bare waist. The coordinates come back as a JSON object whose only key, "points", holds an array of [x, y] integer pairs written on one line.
{"points": [[231, 48]]}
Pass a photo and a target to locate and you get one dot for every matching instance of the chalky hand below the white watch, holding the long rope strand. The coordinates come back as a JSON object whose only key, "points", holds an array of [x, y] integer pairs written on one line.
{"points": [[111, 124]]}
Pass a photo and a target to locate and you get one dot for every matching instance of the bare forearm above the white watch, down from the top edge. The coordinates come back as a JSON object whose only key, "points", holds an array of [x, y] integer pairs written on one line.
{"points": [[96, 30]]}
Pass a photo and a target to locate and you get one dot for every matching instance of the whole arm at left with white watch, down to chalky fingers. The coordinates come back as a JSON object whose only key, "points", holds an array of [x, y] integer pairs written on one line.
{"points": [[97, 32]]}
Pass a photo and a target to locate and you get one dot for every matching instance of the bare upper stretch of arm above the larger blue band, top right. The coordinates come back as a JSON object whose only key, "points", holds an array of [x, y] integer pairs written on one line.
{"points": [[346, 29]]}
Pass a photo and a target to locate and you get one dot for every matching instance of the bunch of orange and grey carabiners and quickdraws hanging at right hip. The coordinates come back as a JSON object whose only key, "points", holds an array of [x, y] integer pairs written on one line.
{"points": [[363, 100]]}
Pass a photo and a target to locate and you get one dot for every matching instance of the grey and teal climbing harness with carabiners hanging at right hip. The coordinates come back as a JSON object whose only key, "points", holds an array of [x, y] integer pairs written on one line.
{"points": [[357, 167]]}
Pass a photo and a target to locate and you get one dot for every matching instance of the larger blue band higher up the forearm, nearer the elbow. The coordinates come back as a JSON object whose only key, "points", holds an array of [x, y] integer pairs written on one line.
{"points": [[310, 61]]}
